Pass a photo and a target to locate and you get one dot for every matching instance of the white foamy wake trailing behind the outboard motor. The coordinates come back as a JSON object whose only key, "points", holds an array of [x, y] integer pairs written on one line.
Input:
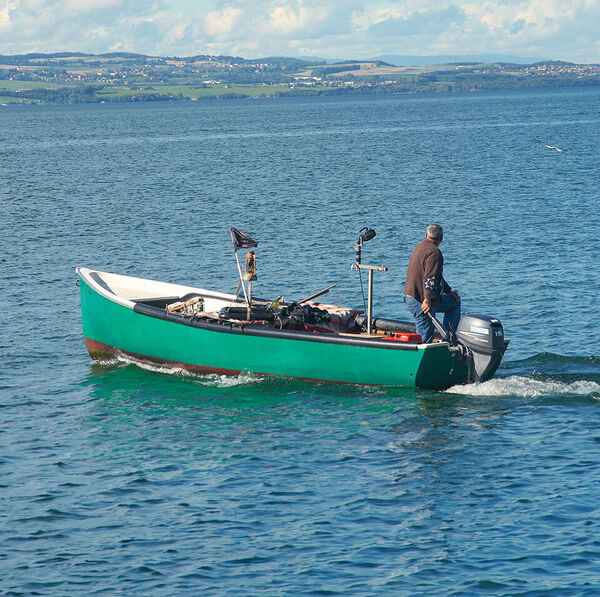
{"points": [[527, 387]]}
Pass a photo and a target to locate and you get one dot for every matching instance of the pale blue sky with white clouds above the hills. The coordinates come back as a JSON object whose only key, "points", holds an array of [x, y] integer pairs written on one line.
{"points": [[335, 29]]}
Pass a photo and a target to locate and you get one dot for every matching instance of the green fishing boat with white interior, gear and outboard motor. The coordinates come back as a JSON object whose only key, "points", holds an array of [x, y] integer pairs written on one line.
{"points": [[208, 332]]}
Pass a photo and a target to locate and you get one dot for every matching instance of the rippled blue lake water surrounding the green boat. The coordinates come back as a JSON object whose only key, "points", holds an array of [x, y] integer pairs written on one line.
{"points": [[117, 480]]}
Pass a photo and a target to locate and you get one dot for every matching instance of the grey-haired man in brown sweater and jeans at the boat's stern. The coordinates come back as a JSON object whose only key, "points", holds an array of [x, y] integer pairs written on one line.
{"points": [[425, 290]]}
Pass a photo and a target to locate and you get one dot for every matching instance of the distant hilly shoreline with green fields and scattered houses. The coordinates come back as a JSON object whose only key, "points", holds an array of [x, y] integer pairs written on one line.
{"points": [[72, 77]]}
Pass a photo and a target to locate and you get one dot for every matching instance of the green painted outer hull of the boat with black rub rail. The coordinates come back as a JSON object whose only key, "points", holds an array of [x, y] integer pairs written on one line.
{"points": [[110, 327]]}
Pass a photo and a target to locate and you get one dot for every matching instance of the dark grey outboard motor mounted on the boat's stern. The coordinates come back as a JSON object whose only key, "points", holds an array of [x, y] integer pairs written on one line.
{"points": [[482, 338]]}
